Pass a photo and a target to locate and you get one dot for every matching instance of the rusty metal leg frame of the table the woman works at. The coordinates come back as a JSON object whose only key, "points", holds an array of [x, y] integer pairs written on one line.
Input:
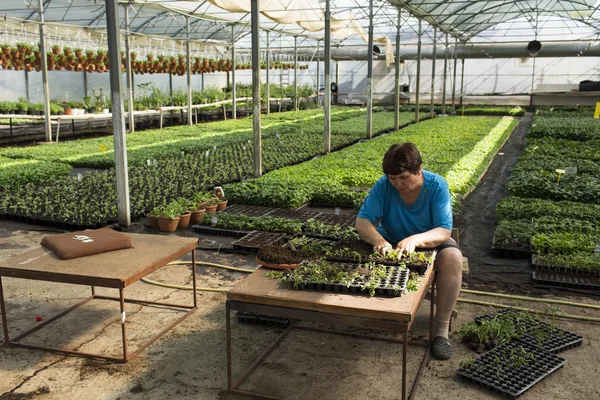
{"points": [[293, 314]]}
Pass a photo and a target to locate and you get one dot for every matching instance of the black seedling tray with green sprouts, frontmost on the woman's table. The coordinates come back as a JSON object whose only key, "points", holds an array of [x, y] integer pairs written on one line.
{"points": [[374, 279]]}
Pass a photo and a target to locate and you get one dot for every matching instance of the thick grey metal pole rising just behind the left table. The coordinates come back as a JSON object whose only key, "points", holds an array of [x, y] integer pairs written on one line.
{"points": [[119, 137]]}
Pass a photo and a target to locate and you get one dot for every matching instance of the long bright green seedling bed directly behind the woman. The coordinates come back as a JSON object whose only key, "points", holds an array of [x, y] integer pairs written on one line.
{"points": [[458, 148]]}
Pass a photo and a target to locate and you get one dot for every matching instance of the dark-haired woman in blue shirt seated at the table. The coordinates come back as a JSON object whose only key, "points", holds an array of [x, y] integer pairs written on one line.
{"points": [[414, 210]]}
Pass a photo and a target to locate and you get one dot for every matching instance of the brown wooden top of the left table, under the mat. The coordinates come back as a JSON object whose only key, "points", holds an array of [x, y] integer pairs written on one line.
{"points": [[117, 269]]}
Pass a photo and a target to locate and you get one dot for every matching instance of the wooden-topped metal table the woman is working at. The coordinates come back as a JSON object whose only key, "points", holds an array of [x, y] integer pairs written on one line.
{"points": [[260, 295]]}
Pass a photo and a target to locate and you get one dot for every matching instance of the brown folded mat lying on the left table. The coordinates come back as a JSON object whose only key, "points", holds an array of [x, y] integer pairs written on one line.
{"points": [[86, 243]]}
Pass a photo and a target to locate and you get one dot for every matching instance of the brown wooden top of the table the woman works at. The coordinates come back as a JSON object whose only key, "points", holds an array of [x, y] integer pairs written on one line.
{"points": [[265, 291]]}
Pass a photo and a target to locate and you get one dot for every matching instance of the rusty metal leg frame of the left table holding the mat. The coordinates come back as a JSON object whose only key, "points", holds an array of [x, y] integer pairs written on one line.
{"points": [[122, 300]]}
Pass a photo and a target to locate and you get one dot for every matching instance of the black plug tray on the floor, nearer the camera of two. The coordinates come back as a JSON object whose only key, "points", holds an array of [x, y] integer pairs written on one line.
{"points": [[497, 372]]}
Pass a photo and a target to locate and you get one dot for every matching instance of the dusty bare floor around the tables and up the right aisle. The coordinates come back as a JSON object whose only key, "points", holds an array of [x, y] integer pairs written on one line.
{"points": [[190, 361]]}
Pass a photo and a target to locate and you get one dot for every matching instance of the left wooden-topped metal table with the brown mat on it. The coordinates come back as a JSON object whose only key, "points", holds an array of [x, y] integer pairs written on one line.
{"points": [[116, 269]]}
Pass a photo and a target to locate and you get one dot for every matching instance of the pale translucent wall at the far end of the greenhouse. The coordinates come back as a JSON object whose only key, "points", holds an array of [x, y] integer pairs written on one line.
{"points": [[482, 76]]}
